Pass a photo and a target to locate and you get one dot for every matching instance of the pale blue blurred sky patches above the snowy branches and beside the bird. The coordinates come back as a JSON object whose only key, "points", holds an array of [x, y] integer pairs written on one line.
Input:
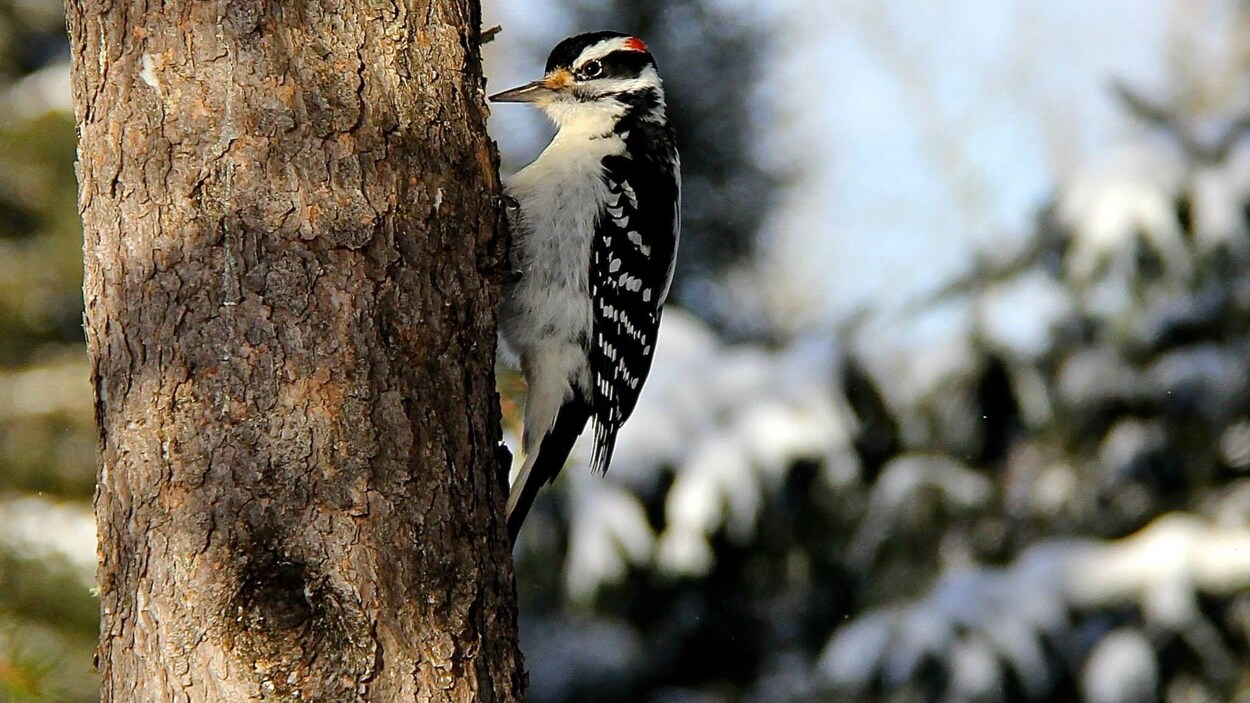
{"points": [[917, 132]]}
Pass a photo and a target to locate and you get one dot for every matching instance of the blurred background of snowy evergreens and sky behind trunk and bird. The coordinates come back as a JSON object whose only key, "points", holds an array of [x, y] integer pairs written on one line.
{"points": [[953, 403]]}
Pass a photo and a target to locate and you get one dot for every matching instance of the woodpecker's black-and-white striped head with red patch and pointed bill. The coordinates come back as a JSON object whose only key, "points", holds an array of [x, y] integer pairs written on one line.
{"points": [[602, 73]]}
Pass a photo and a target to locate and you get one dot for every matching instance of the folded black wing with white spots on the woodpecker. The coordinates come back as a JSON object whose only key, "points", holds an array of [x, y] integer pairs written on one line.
{"points": [[631, 271]]}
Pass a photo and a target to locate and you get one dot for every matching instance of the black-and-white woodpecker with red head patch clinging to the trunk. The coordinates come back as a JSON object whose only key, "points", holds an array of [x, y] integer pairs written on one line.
{"points": [[594, 243]]}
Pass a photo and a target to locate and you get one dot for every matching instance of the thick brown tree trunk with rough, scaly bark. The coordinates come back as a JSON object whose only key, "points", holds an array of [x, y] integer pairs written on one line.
{"points": [[292, 246]]}
